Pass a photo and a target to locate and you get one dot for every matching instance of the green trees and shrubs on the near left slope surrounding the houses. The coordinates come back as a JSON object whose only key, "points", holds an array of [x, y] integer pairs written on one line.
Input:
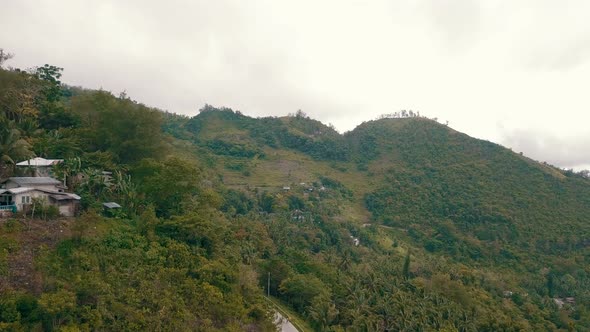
{"points": [[168, 261]]}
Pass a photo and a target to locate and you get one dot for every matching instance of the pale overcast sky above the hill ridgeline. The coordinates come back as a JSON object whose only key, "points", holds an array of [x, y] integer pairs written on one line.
{"points": [[512, 72]]}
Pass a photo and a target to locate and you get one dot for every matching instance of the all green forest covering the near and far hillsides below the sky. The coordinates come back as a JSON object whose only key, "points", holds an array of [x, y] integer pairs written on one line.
{"points": [[402, 224]]}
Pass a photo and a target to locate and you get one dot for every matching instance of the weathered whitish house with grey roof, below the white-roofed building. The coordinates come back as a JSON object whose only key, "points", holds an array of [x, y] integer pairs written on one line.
{"points": [[17, 193]]}
